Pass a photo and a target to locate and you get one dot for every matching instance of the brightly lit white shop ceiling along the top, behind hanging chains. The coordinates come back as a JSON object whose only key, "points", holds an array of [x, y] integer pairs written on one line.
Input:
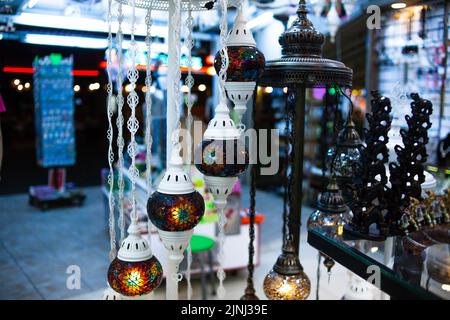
{"points": [[78, 17]]}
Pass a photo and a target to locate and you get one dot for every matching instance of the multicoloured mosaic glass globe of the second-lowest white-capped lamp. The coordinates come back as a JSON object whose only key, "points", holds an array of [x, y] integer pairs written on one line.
{"points": [[175, 212]]}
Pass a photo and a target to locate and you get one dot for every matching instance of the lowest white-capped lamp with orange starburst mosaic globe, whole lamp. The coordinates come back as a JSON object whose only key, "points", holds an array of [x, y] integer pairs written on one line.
{"points": [[135, 271]]}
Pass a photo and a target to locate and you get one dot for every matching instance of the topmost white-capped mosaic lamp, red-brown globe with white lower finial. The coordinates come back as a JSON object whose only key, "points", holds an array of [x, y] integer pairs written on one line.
{"points": [[246, 65]]}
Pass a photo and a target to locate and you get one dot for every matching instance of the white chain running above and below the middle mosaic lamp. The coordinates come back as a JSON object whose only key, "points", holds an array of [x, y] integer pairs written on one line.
{"points": [[222, 78]]}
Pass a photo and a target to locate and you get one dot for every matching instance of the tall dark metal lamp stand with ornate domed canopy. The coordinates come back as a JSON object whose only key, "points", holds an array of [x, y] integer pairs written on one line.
{"points": [[301, 66]]}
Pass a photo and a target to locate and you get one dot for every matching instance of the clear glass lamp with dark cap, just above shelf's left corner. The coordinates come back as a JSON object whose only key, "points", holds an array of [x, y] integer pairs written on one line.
{"points": [[332, 213]]}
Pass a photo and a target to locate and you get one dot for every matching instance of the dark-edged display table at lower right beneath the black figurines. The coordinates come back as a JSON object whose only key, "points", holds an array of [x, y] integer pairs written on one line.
{"points": [[403, 274]]}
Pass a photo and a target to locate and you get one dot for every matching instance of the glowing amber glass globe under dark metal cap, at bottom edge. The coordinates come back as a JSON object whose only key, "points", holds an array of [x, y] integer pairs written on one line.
{"points": [[286, 287]]}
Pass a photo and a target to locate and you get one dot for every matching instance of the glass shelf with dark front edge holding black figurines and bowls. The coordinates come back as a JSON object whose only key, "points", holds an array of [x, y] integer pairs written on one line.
{"points": [[407, 269]]}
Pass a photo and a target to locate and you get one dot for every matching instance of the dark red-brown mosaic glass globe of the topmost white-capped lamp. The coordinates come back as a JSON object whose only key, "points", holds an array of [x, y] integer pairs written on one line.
{"points": [[246, 63]]}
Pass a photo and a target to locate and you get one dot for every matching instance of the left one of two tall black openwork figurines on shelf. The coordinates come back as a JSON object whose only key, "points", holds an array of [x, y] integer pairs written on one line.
{"points": [[375, 156]]}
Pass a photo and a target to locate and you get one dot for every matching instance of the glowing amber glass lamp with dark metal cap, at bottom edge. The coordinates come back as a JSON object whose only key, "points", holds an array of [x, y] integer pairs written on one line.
{"points": [[286, 280]]}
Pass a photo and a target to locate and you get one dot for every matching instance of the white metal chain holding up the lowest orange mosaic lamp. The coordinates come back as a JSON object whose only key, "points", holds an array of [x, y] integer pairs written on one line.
{"points": [[133, 123]]}
